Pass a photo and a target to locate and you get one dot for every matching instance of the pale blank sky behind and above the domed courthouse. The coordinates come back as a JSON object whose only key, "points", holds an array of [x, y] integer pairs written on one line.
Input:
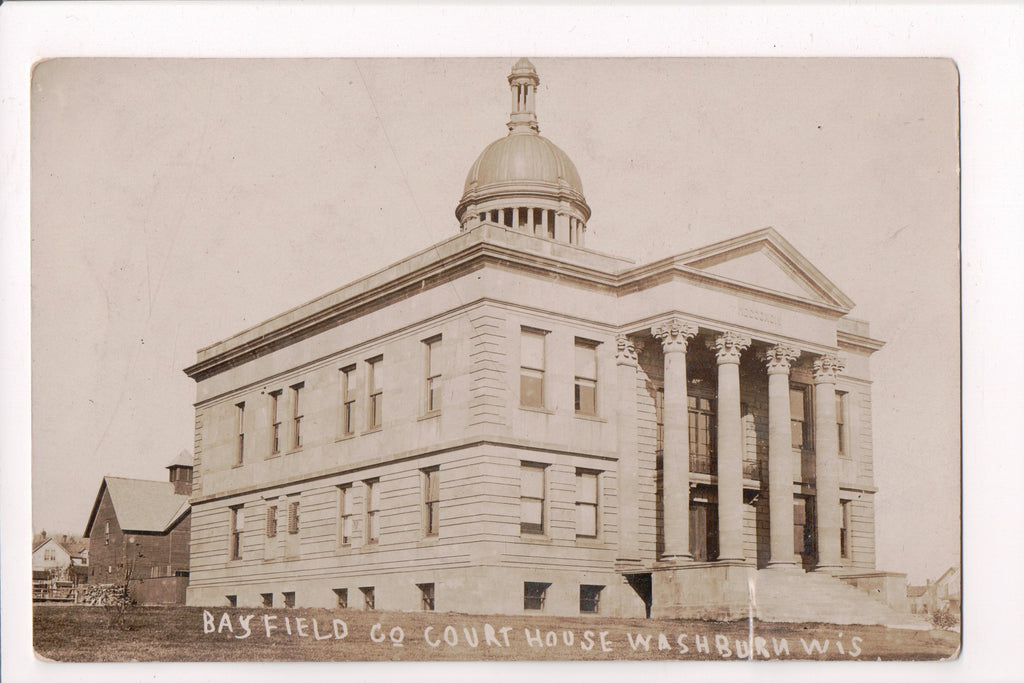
{"points": [[179, 202]]}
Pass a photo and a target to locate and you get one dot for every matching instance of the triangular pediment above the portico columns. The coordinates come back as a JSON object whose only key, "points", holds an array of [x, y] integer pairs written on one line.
{"points": [[766, 262]]}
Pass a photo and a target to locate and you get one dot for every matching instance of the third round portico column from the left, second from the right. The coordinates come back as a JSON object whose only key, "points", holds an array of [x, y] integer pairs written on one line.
{"points": [[779, 360]]}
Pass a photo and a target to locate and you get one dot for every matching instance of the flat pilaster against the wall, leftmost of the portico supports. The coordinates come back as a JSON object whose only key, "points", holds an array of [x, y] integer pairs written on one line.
{"points": [[626, 430]]}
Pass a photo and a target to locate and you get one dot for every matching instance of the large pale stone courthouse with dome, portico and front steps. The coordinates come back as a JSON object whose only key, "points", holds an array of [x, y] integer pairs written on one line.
{"points": [[510, 422]]}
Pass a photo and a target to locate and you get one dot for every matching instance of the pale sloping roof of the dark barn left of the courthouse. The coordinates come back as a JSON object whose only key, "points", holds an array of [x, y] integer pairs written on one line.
{"points": [[142, 505]]}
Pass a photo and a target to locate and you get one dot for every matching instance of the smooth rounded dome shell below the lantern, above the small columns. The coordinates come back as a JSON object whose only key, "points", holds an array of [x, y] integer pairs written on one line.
{"points": [[517, 159]]}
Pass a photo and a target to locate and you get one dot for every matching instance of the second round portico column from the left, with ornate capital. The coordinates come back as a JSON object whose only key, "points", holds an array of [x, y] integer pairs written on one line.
{"points": [[731, 448]]}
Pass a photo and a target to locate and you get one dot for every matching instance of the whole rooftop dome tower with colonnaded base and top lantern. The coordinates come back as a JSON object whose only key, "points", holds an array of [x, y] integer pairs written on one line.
{"points": [[524, 182]]}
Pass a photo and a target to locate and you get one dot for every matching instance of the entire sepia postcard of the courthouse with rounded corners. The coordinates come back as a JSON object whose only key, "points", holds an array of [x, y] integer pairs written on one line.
{"points": [[496, 359]]}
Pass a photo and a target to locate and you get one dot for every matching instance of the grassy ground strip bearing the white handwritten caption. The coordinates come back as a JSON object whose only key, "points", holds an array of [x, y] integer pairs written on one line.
{"points": [[70, 633]]}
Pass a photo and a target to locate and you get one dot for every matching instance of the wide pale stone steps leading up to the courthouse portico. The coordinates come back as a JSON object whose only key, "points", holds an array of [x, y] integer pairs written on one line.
{"points": [[783, 595]]}
